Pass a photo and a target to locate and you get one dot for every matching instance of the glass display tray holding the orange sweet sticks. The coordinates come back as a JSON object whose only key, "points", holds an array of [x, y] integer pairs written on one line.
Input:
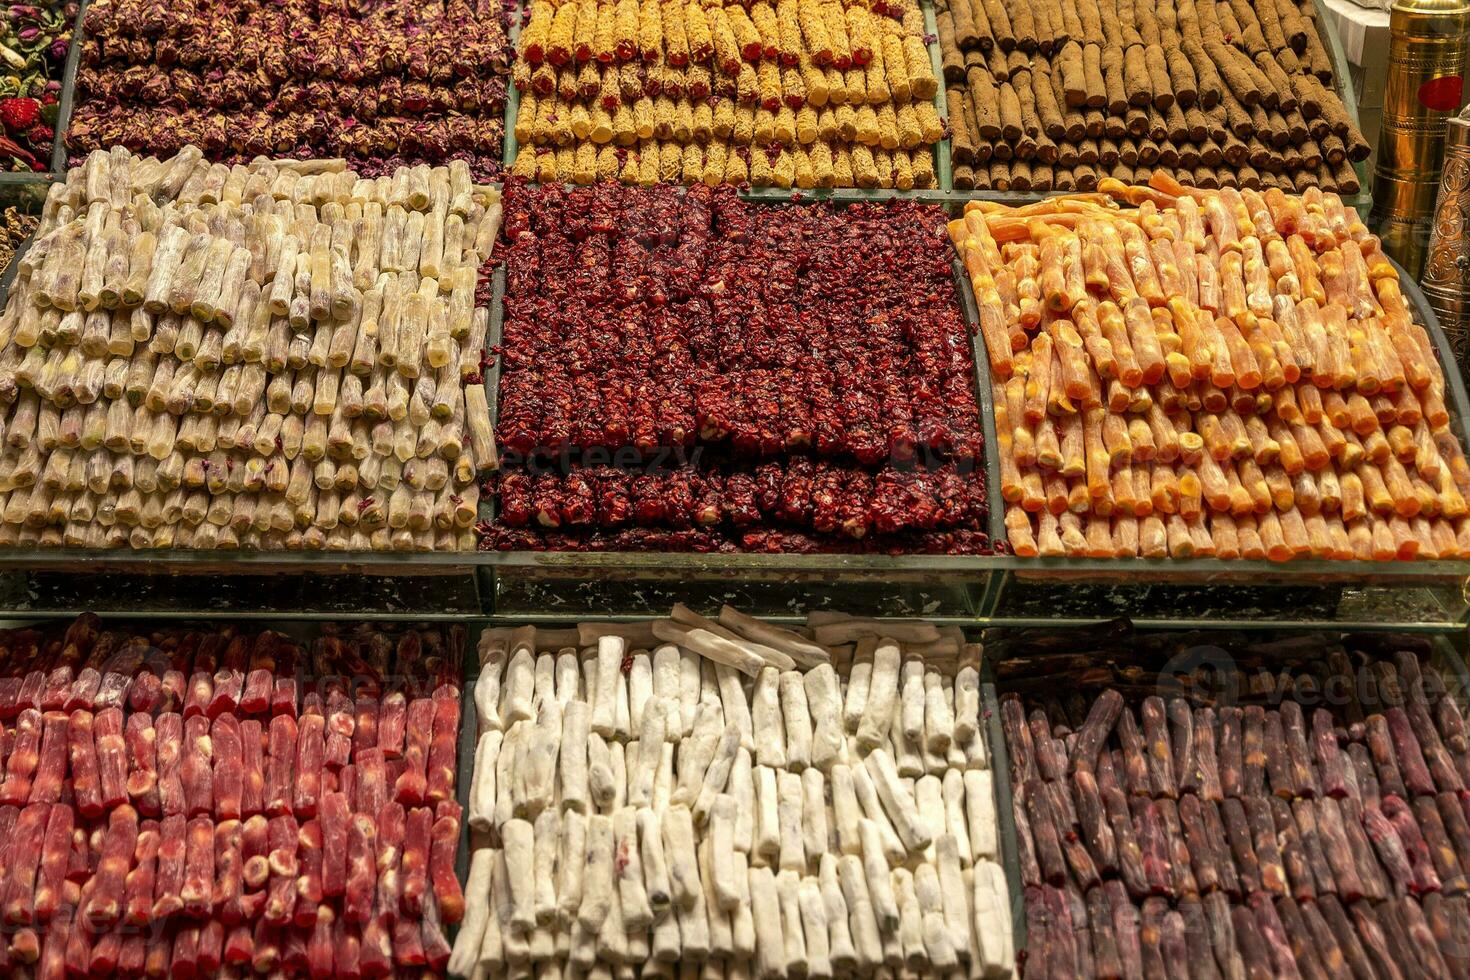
{"points": [[1402, 593]]}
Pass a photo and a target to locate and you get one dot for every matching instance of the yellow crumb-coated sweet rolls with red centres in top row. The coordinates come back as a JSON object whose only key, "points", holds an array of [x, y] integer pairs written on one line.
{"points": [[795, 93]]}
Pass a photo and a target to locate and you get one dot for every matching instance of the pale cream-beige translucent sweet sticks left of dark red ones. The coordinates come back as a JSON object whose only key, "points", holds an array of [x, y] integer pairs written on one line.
{"points": [[201, 356]]}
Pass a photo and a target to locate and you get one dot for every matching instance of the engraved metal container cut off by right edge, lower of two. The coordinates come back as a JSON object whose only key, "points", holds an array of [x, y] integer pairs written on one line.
{"points": [[1447, 267]]}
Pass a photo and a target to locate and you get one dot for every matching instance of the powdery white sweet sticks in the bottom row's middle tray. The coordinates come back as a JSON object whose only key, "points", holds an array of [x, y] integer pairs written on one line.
{"points": [[733, 799]]}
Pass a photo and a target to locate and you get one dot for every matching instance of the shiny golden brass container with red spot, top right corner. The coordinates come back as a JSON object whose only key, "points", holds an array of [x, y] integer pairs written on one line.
{"points": [[1425, 83]]}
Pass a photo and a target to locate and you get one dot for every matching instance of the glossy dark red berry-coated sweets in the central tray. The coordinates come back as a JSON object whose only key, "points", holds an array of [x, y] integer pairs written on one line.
{"points": [[684, 371]]}
